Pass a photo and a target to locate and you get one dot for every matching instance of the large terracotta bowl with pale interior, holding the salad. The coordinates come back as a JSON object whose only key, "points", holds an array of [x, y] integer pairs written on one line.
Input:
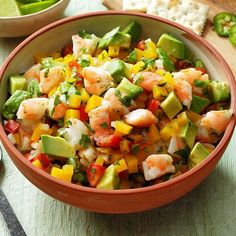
{"points": [[57, 35]]}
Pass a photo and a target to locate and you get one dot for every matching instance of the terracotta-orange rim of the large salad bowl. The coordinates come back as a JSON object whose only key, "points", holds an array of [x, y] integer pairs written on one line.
{"points": [[222, 144]]}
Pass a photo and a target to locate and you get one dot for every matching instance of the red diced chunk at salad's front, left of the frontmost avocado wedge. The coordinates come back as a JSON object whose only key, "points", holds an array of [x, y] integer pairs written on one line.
{"points": [[94, 173]]}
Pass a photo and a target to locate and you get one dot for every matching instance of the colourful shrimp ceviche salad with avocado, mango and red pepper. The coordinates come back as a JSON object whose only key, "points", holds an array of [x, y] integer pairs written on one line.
{"points": [[116, 112]]}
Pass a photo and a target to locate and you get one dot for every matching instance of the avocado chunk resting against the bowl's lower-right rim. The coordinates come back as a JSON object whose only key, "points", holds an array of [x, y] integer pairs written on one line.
{"points": [[198, 154]]}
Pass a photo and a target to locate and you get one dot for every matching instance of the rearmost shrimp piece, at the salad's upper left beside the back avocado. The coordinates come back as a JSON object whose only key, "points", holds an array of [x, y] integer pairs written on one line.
{"points": [[84, 46]]}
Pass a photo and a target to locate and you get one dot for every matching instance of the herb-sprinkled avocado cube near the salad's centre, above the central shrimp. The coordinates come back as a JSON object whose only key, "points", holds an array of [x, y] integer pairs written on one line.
{"points": [[131, 90]]}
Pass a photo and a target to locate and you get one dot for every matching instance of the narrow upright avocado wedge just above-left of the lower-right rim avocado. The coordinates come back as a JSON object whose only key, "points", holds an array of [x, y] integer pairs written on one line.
{"points": [[188, 133]]}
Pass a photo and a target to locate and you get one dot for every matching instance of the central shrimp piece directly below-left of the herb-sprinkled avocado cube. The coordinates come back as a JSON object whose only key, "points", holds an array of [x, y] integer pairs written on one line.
{"points": [[114, 104]]}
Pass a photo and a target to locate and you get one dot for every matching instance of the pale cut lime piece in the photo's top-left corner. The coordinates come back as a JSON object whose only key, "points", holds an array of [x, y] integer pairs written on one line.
{"points": [[9, 8]]}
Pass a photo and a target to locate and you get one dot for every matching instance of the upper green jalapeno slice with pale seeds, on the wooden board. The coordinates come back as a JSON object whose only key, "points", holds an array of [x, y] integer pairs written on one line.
{"points": [[223, 22]]}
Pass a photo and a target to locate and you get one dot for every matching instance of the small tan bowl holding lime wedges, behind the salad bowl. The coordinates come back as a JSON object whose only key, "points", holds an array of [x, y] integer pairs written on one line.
{"points": [[25, 25]]}
